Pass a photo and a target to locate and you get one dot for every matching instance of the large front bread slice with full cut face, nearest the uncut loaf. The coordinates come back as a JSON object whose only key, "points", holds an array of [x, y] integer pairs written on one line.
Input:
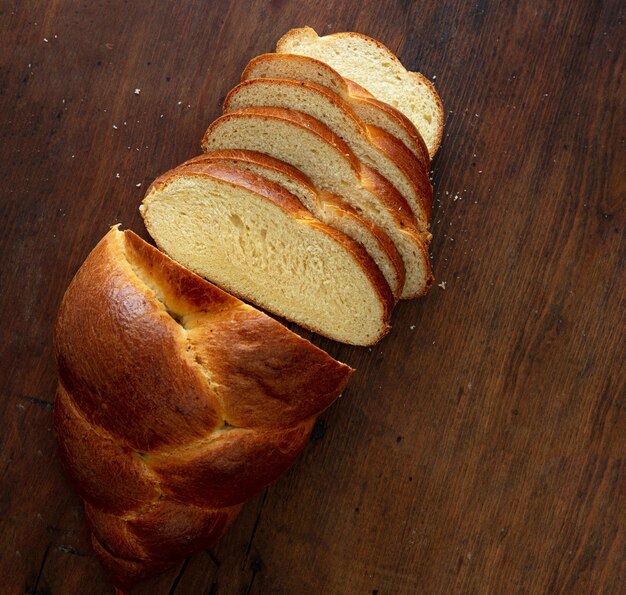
{"points": [[256, 240]]}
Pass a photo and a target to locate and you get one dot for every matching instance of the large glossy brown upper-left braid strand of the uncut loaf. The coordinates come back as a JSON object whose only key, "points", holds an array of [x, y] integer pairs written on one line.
{"points": [[164, 408]]}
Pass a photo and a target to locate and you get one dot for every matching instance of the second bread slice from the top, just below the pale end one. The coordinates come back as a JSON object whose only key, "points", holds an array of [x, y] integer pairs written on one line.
{"points": [[371, 111]]}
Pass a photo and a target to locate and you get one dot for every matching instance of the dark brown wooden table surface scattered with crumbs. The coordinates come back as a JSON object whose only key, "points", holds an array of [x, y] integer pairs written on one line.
{"points": [[481, 446]]}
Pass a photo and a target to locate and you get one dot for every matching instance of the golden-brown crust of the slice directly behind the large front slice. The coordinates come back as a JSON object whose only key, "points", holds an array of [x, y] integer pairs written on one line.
{"points": [[329, 200]]}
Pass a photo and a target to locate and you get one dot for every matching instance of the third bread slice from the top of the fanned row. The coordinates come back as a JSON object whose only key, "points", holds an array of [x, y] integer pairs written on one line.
{"points": [[373, 146]]}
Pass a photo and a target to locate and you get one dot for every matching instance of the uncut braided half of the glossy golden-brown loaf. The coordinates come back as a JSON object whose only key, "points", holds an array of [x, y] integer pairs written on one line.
{"points": [[176, 402]]}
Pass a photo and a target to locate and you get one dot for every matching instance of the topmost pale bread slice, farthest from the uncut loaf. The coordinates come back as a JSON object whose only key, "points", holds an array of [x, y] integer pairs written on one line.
{"points": [[370, 64]]}
